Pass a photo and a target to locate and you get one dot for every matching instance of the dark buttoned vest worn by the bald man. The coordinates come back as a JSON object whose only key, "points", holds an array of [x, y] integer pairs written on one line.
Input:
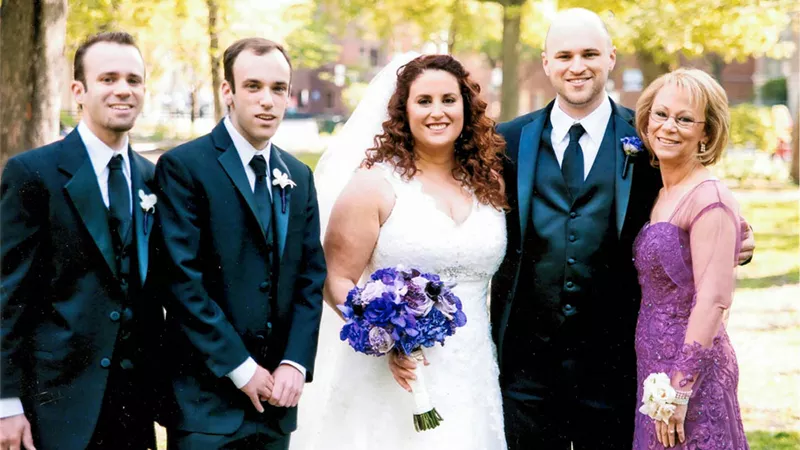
{"points": [[570, 242]]}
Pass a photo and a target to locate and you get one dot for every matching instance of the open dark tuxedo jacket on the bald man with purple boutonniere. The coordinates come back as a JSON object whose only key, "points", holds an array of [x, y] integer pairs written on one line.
{"points": [[633, 199]]}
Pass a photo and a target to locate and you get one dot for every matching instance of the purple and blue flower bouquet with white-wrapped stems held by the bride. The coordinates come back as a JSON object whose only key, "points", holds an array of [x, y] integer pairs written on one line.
{"points": [[403, 309]]}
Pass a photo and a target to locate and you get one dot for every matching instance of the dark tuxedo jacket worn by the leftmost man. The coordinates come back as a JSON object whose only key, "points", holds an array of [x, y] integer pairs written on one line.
{"points": [[61, 296]]}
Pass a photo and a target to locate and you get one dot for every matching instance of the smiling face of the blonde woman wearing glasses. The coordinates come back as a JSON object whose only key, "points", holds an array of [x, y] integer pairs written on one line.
{"points": [[676, 139]]}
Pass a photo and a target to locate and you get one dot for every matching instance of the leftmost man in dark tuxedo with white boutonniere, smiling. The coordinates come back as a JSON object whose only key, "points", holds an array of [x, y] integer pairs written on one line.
{"points": [[77, 332]]}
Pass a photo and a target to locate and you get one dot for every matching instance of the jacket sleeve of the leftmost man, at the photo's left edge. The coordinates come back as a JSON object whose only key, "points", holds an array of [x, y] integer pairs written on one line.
{"points": [[21, 223]]}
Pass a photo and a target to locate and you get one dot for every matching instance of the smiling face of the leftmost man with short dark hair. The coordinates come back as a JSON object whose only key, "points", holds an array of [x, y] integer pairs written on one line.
{"points": [[114, 91]]}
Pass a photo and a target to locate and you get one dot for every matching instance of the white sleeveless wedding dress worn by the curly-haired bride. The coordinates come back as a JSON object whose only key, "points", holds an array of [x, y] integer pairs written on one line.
{"points": [[355, 404]]}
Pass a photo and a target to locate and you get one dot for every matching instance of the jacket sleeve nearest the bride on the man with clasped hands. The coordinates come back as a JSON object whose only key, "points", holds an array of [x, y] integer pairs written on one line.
{"points": [[307, 306]]}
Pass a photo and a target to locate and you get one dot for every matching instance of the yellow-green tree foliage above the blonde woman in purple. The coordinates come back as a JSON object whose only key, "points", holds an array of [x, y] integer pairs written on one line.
{"points": [[659, 32]]}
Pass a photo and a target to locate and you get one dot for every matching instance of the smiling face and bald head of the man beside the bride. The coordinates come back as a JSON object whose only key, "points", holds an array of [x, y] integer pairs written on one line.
{"points": [[577, 59]]}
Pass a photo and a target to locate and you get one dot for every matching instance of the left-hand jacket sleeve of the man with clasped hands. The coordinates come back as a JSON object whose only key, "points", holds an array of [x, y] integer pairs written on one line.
{"points": [[179, 227]]}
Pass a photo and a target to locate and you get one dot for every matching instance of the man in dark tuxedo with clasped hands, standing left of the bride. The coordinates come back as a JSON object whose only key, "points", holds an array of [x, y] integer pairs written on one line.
{"points": [[242, 266]]}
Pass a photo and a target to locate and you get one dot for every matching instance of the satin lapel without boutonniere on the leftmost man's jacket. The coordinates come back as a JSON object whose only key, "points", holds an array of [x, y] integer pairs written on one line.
{"points": [[84, 192]]}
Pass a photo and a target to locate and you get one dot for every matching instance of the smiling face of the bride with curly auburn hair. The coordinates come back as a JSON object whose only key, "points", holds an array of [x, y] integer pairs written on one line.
{"points": [[435, 110]]}
